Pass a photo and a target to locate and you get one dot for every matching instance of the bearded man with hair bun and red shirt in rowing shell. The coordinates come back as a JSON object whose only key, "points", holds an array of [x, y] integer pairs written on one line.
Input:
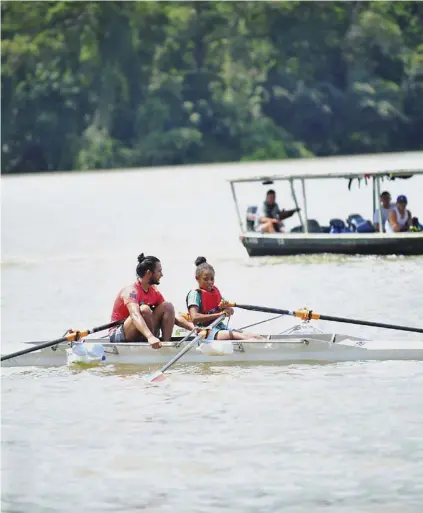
{"points": [[144, 308]]}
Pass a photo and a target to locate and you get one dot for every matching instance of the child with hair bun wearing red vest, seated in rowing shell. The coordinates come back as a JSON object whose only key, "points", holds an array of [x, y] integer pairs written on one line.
{"points": [[204, 305]]}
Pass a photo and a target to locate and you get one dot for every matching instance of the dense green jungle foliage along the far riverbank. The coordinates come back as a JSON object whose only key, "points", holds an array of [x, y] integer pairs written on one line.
{"points": [[119, 84]]}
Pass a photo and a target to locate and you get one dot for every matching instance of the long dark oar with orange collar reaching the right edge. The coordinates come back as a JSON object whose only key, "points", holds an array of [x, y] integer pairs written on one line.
{"points": [[307, 315]]}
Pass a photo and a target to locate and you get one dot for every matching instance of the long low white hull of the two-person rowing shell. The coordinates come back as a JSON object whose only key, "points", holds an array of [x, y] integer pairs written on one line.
{"points": [[286, 348]]}
